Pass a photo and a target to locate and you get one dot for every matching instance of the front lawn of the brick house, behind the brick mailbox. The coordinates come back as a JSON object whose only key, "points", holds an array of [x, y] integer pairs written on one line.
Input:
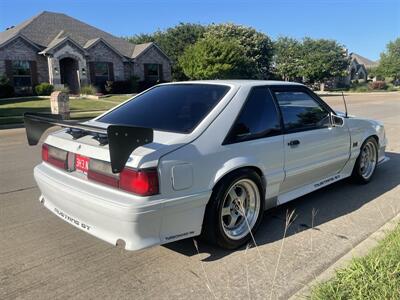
{"points": [[11, 111]]}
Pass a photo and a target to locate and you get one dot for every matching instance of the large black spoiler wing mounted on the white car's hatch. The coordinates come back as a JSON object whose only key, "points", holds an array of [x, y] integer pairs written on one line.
{"points": [[122, 140]]}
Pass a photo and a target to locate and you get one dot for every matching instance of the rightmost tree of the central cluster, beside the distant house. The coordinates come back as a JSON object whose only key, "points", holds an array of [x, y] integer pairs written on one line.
{"points": [[323, 60]]}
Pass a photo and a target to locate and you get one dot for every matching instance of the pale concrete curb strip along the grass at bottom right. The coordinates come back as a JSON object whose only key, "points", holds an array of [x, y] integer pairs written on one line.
{"points": [[362, 249]]}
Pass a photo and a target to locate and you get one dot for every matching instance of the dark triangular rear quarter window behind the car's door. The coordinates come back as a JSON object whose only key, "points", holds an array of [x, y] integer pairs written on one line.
{"points": [[258, 118]]}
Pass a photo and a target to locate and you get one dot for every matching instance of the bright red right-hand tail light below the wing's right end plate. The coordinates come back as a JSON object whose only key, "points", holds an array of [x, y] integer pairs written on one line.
{"points": [[141, 182]]}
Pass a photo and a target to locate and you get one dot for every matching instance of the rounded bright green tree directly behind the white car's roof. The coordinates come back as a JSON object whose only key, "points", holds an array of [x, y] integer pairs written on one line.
{"points": [[212, 58]]}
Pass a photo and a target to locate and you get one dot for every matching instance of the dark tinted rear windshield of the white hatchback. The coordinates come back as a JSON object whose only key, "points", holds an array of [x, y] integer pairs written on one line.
{"points": [[177, 108]]}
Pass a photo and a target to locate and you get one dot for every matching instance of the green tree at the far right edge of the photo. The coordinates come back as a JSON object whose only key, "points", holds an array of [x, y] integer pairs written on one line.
{"points": [[389, 64]]}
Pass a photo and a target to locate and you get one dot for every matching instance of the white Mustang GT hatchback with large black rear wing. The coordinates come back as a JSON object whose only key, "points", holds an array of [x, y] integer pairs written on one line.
{"points": [[198, 158]]}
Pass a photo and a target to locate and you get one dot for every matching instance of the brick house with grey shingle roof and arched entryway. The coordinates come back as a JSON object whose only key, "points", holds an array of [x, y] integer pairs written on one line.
{"points": [[55, 48]]}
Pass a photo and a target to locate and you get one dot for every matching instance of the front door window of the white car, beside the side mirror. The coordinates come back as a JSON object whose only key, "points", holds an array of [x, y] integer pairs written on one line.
{"points": [[301, 112]]}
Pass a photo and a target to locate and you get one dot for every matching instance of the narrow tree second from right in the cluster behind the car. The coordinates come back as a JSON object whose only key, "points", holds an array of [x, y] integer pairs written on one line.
{"points": [[288, 58]]}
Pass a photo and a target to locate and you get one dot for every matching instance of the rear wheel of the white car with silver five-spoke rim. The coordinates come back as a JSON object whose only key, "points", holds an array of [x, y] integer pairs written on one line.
{"points": [[220, 226]]}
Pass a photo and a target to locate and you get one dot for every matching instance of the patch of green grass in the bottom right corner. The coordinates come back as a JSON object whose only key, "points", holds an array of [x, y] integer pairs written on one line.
{"points": [[375, 276]]}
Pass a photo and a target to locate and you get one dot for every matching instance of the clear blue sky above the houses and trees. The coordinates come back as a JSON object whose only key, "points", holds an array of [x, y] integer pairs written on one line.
{"points": [[363, 26]]}
